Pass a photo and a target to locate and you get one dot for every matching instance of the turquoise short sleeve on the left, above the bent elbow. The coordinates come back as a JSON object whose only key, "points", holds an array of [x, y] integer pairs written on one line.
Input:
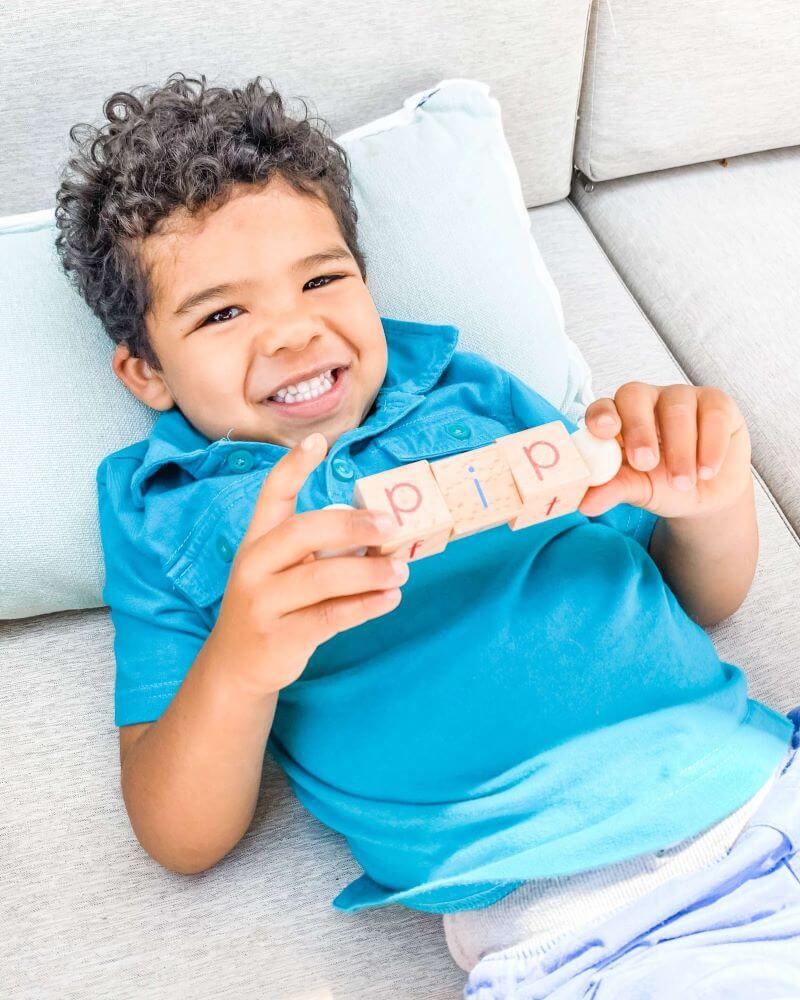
{"points": [[157, 633]]}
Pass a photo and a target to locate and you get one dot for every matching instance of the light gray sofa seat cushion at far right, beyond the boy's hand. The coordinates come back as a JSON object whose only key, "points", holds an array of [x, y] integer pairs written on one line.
{"points": [[710, 252]]}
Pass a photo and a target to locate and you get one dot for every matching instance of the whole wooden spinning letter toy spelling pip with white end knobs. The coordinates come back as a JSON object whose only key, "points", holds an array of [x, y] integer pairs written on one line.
{"points": [[520, 479]]}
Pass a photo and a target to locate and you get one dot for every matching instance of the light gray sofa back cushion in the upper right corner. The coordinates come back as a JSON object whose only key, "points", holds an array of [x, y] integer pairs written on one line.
{"points": [[672, 83]]}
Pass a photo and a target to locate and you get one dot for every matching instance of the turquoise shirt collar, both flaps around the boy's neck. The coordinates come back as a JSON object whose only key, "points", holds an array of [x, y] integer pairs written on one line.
{"points": [[417, 354]]}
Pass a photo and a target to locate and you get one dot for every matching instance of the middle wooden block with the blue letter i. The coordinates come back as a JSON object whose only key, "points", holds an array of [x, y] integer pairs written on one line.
{"points": [[478, 488]]}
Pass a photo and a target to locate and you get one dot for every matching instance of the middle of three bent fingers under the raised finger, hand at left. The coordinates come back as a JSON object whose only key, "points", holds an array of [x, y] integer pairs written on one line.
{"points": [[305, 585]]}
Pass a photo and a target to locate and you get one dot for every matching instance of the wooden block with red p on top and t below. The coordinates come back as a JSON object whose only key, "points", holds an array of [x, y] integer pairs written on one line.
{"points": [[548, 470]]}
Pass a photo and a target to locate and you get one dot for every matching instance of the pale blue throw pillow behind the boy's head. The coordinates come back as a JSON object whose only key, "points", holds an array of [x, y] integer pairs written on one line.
{"points": [[443, 227]]}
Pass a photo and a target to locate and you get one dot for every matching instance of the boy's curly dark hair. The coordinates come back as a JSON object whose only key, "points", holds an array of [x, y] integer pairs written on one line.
{"points": [[174, 148]]}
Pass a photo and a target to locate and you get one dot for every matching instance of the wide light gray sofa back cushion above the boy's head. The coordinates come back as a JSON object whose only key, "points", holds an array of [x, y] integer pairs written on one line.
{"points": [[351, 60]]}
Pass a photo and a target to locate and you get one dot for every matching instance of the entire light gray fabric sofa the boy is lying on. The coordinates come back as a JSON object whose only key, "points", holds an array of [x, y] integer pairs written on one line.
{"points": [[659, 152]]}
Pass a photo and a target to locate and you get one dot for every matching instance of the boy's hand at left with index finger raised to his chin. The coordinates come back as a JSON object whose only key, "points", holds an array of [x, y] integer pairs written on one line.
{"points": [[281, 602]]}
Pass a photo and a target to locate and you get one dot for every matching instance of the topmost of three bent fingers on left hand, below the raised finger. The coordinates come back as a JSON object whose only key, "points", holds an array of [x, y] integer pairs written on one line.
{"points": [[297, 539]]}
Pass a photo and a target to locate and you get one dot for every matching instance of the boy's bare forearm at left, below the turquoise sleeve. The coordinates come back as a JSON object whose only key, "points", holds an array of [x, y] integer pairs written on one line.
{"points": [[191, 781]]}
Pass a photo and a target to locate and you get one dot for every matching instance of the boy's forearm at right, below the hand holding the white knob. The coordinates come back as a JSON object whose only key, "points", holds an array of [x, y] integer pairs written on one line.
{"points": [[709, 562]]}
